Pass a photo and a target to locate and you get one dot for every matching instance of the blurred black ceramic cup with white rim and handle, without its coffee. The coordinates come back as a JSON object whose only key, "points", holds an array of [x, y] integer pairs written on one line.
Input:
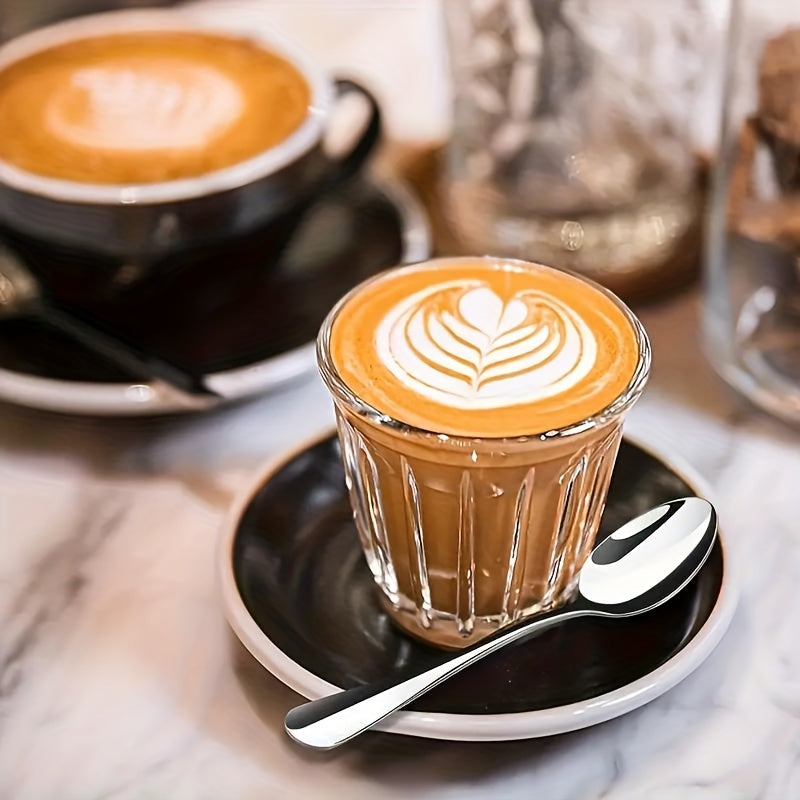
{"points": [[92, 243]]}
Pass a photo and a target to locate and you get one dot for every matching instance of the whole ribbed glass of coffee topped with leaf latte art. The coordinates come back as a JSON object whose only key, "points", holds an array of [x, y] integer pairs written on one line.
{"points": [[480, 404]]}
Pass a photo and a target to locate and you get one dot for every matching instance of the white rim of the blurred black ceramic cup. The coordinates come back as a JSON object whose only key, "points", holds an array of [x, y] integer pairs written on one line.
{"points": [[164, 20]]}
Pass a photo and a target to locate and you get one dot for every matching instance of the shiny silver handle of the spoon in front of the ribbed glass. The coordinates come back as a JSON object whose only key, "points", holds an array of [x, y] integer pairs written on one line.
{"points": [[330, 721]]}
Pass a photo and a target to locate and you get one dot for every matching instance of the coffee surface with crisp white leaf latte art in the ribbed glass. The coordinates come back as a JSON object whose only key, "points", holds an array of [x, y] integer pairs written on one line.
{"points": [[484, 347]]}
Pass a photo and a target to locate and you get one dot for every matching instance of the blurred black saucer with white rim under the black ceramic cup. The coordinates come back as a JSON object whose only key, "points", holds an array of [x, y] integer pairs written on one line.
{"points": [[246, 337]]}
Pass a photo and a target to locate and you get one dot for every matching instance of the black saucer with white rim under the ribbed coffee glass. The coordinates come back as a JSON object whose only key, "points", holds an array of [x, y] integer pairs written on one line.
{"points": [[298, 594]]}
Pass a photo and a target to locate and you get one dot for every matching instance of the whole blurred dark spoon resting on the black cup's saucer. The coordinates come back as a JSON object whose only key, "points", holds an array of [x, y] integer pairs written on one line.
{"points": [[21, 295]]}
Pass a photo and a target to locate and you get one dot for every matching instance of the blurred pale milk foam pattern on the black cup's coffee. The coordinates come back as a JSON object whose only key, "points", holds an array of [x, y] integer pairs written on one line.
{"points": [[139, 105]]}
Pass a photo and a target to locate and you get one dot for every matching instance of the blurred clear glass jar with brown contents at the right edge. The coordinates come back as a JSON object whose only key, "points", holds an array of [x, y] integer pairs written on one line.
{"points": [[752, 270]]}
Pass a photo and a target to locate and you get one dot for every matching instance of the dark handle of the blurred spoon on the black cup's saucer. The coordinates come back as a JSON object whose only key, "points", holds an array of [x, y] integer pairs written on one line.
{"points": [[131, 358]]}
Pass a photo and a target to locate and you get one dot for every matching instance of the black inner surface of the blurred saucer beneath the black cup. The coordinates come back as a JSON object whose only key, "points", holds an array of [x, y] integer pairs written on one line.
{"points": [[238, 317]]}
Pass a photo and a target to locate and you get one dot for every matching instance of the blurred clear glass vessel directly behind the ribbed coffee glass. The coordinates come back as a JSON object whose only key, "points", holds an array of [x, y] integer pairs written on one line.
{"points": [[575, 138]]}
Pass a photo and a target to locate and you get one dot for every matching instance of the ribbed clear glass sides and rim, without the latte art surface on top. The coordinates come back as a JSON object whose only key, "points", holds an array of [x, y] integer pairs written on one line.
{"points": [[464, 535]]}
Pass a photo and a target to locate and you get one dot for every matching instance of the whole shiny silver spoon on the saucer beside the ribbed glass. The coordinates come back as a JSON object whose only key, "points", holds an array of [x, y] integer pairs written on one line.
{"points": [[638, 567]]}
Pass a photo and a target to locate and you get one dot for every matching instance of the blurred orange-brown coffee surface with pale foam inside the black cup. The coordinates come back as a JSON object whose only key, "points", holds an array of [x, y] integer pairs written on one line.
{"points": [[146, 107]]}
